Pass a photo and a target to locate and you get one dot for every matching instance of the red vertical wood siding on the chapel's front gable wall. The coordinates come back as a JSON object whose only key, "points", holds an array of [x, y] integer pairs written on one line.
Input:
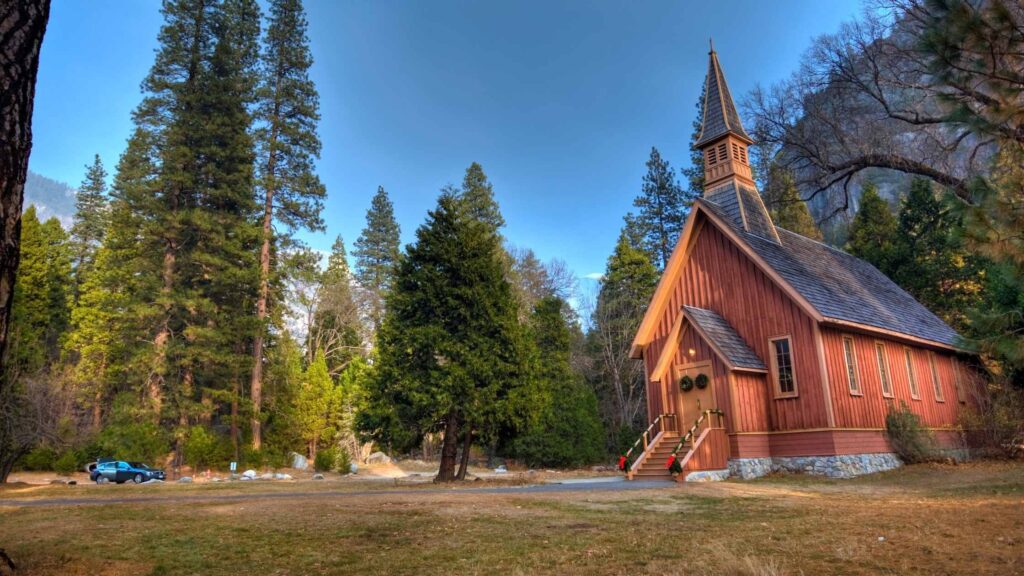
{"points": [[718, 276]]}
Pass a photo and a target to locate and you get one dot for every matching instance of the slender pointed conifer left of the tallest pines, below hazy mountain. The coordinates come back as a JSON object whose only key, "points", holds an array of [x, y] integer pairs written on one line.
{"points": [[91, 220]]}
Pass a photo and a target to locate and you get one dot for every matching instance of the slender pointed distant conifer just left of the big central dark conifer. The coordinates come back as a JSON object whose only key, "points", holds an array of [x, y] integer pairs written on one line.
{"points": [[377, 253]]}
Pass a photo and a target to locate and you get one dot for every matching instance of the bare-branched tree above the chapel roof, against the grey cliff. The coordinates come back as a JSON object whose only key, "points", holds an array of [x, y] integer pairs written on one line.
{"points": [[887, 93]]}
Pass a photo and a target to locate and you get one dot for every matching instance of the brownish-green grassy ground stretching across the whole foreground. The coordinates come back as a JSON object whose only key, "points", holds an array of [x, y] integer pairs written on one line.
{"points": [[920, 520]]}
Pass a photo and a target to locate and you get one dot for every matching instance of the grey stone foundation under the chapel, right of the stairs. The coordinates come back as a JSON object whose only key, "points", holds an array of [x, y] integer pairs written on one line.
{"points": [[847, 466]]}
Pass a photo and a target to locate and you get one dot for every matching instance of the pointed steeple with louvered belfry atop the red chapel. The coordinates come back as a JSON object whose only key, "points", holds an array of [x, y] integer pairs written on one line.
{"points": [[723, 140]]}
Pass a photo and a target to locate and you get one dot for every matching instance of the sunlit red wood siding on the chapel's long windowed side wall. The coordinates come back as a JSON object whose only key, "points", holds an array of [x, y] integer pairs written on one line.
{"points": [[869, 410]]}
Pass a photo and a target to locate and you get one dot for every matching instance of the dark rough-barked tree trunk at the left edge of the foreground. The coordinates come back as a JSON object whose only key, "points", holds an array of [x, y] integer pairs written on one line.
{"points": [[23, 25]]}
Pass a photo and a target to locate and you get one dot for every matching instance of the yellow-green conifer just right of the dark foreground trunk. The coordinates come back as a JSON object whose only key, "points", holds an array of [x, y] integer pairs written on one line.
{"points": [[41, 308]]}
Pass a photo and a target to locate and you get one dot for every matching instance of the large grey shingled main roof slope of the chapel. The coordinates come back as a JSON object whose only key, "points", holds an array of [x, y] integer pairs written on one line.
{"points": [[840, 286]]}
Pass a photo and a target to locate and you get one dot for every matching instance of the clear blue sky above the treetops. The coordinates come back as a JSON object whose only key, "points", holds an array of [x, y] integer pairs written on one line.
{"points": [[561, 102]]}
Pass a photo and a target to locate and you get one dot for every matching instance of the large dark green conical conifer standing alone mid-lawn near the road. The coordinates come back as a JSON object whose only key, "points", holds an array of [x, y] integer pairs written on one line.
{"points": [[450, 348]]}
